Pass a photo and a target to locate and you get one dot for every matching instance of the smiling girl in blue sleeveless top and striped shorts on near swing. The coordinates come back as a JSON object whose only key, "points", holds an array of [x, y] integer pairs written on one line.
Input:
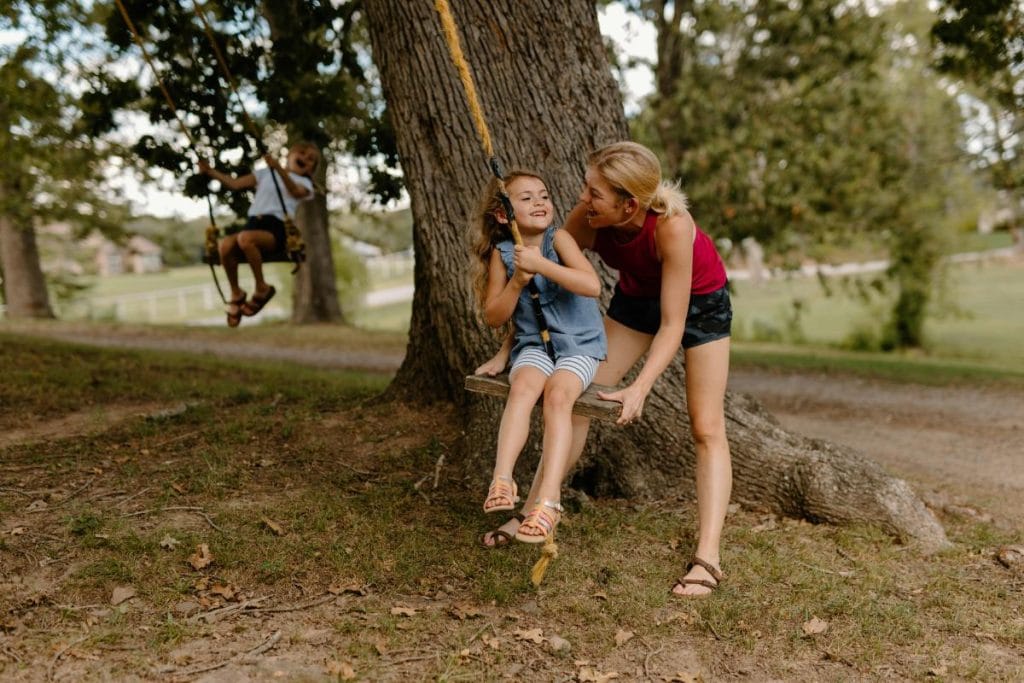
{"points": [[569, 289]]}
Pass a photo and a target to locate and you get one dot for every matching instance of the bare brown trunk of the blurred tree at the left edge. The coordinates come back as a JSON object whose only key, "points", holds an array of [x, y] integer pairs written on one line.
{"points": [[24, 285]]}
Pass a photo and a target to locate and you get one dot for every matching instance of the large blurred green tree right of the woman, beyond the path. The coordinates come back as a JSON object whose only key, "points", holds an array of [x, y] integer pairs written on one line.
{"points": [[790, 123]]}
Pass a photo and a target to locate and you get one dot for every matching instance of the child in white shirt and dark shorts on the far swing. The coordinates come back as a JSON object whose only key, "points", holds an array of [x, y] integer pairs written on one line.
{"points": [[265, 230]]}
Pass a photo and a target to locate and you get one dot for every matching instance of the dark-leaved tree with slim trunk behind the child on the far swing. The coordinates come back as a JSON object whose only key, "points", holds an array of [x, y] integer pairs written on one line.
{"points": [[300, 75]]}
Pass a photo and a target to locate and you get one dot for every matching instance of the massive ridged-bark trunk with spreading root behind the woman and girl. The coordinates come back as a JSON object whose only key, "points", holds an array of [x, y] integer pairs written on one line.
{"points": [[549, 98]]}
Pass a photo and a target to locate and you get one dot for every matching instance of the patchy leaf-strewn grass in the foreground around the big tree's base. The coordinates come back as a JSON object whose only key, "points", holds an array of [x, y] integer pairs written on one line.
{"points": [[165, 516]]}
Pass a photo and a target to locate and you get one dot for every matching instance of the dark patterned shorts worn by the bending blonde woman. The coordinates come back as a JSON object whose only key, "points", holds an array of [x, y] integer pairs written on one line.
{"points": [[709, 317]]}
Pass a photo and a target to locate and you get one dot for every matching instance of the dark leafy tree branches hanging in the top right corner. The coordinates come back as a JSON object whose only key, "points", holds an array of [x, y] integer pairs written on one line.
{"points": [[984, 44]]}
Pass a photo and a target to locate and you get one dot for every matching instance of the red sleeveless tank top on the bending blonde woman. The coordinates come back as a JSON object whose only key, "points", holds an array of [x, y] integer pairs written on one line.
{"points": [[641, 270]]}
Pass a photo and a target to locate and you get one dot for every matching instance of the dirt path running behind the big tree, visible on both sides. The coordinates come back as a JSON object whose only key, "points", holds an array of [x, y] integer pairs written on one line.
{"points": [[963, 445]]}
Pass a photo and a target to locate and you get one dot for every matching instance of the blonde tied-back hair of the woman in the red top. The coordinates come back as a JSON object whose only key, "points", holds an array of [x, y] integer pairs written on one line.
{"points": [[633, 170]]}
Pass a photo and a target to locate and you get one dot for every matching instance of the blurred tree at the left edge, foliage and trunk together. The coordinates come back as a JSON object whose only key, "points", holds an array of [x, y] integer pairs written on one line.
{"points": [[54, 148]]}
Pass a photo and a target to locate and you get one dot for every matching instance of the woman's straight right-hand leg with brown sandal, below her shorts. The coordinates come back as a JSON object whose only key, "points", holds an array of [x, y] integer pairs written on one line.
{"points": [[707, 376]]}
